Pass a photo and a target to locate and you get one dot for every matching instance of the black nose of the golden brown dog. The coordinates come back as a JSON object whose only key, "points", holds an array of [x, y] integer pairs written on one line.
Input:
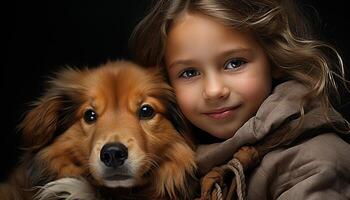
{"points": [[114, 154]]}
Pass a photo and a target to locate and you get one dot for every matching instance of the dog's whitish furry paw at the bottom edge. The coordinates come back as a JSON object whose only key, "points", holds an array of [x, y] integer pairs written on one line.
{"points": [[66, 188]]}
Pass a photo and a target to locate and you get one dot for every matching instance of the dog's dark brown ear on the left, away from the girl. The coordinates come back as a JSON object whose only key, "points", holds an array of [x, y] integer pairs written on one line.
{"points": [[54, 112]]}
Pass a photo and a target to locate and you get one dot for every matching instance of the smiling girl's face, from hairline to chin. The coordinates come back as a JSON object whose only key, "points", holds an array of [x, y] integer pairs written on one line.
{"points": [[220, 76]]}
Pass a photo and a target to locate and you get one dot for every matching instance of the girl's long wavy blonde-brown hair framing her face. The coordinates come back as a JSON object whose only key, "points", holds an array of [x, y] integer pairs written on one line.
{"points": [[279, 25]]}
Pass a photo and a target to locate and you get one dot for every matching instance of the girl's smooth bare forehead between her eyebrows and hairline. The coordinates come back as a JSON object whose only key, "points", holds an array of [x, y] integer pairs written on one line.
{"points": [[199, 33]]}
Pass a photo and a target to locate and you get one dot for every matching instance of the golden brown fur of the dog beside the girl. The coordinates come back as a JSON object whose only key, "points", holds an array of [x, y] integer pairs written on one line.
{"points": [[62, 143]]}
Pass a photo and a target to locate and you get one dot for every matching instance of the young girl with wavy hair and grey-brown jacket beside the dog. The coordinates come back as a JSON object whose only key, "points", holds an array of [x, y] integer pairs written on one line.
{"points": [[248, 72]]}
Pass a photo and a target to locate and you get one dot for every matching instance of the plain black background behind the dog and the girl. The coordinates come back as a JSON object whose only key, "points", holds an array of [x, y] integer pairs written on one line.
{"points": [[40, 37]]}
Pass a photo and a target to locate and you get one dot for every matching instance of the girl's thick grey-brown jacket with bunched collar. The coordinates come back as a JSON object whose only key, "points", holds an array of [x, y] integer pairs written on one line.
{"points": [[316, 165]]}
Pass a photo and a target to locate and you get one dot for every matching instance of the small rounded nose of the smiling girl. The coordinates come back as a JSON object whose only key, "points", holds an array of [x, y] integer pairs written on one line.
{"points": [[215, 88]]}
